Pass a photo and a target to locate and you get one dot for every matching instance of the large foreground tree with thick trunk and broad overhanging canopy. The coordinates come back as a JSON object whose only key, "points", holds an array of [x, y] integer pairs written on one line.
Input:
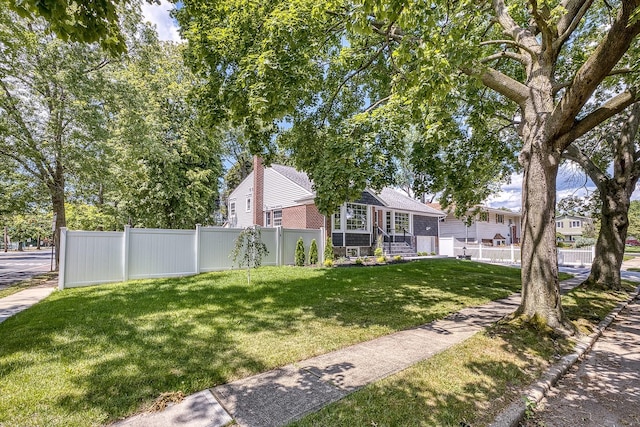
{"points": [[349, 77]]}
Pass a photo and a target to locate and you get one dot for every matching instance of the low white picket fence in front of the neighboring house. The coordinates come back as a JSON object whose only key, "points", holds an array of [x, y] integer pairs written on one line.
{"points": [[511, 254]]}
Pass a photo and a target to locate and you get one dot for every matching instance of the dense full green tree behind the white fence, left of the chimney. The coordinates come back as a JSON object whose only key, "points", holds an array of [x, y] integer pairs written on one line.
{"points": [[168, 164]]}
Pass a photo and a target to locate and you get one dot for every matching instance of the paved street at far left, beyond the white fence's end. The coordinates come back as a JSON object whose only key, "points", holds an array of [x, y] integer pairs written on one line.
{"points": [[17, 266]]}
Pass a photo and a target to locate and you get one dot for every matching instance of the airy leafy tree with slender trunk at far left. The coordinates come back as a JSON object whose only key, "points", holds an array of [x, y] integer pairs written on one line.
{"points": [[52, 118]]}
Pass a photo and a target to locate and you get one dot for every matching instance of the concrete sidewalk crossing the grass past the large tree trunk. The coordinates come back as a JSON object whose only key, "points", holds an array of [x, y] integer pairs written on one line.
{"points": [[282, 395]]}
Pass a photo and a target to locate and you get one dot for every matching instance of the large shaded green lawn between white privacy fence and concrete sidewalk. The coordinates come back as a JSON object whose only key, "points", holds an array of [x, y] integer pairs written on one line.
{"points": [[92, 355]]}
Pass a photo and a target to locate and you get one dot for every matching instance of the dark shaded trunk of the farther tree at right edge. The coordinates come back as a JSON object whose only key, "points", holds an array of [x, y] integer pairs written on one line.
{"points": [[605, 269]]}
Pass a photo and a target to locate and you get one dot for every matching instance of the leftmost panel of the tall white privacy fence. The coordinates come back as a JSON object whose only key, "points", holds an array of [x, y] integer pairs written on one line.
{"points": [[92, 257]]}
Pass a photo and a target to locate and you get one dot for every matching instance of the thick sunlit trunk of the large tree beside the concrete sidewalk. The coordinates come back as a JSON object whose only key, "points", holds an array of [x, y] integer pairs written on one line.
{"points": [[540, 286]]}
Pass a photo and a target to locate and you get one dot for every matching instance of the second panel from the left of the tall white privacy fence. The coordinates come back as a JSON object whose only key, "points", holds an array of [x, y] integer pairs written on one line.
{"points": [[161, 253]]}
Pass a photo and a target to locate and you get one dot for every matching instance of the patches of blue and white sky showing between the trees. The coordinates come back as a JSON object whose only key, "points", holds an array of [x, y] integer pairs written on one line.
{"points": [[570, 181]]}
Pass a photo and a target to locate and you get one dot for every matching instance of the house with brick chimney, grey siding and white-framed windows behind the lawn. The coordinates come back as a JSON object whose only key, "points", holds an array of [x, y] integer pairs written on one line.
{"points": [[283, 196]]}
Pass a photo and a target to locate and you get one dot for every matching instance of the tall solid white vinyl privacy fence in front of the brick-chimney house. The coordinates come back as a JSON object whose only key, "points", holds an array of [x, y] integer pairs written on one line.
{"points": [[93, 257]]}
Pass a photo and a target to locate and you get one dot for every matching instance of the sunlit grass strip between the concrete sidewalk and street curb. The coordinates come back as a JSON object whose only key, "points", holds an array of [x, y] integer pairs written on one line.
{"points": [[470, 383]]}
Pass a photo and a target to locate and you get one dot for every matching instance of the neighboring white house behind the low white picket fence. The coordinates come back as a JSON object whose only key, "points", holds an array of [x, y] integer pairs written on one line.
{"points": [[489, 226]]}
